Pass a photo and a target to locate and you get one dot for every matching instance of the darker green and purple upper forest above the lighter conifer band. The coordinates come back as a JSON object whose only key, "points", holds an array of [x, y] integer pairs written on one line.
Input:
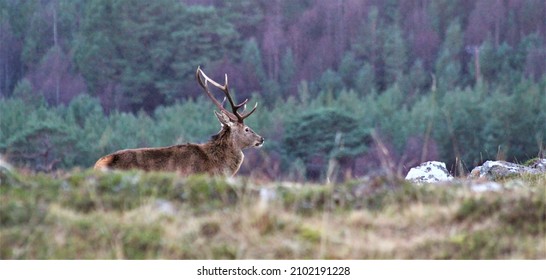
{"points": [[134, 54]]}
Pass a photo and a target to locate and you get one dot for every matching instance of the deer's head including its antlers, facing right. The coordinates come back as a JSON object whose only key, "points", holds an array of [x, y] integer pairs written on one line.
{"points": [[241, 135]]}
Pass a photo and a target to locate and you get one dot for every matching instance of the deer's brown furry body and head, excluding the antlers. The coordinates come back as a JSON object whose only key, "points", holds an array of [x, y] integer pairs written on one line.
{"points": [[222, 155]]}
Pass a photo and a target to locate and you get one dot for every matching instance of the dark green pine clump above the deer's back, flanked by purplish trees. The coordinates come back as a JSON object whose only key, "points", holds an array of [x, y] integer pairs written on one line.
{"points": [[161, 45]]}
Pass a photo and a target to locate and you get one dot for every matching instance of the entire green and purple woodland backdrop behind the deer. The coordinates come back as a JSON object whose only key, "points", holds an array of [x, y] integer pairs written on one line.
{"points": [[354, 86]]}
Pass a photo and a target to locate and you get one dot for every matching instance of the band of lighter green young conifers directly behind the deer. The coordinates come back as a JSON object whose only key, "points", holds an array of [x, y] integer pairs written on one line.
{"points": [[465, 124]]}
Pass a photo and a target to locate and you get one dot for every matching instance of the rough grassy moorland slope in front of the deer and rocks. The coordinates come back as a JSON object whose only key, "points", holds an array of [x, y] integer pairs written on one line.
{"points": [[132, 215]]}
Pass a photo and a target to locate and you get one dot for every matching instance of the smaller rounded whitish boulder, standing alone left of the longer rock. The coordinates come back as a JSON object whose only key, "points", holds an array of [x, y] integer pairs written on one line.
{"points": [[429, 172]]}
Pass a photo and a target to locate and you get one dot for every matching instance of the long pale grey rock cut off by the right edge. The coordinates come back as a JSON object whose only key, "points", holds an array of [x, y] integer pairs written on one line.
{"points": [[494, 170]]}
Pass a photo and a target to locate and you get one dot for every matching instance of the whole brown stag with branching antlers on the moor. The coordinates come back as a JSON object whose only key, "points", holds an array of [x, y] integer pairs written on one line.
{"points": [[222, 155]]}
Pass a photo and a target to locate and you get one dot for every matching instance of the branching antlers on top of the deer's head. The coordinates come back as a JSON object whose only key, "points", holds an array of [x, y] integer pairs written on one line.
{"points": [[235, 116]]}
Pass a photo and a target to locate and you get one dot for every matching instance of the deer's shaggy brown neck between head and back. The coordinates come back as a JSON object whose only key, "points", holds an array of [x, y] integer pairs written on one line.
{"points": [[224, 153]]}
